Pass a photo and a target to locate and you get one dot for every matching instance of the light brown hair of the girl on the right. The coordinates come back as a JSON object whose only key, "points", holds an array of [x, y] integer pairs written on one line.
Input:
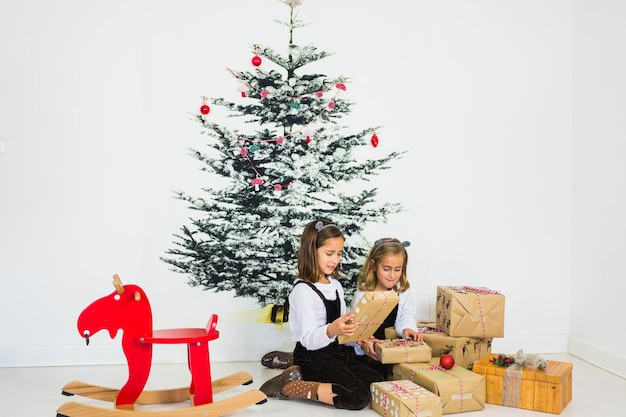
{"points": [[388, 246]]}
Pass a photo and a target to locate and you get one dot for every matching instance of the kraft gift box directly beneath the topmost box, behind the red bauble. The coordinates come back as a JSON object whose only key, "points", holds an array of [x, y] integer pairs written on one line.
{"points": [[465, 350]]}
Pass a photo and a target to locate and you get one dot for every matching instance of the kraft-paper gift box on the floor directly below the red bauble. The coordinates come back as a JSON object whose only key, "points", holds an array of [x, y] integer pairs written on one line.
{"points": [[460, 389]]}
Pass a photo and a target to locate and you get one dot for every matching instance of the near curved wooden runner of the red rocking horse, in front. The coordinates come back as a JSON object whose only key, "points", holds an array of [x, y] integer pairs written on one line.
{"points": [[214, 409]]}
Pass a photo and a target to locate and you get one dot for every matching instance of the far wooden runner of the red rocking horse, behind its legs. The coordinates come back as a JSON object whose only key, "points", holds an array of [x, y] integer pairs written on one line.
{"points": [[165, 396]]}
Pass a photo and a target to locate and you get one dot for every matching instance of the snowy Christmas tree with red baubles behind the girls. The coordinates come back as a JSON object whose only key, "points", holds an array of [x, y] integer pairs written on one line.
{"points": [[293, 165]]}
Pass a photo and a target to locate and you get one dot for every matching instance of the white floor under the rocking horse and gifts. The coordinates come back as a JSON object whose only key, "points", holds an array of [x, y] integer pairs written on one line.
{"points": [[36, 392]]}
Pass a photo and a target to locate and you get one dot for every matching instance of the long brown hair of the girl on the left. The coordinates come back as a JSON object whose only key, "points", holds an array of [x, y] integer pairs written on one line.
{"points": [[315, 234]]}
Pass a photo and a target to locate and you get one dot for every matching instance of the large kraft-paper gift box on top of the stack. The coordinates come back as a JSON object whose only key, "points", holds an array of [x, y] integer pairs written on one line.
{"points": [[470, 311]]}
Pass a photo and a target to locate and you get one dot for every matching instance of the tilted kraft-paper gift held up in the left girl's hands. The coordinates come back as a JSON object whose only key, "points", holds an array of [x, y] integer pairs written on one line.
{"points": [[370, 312]]}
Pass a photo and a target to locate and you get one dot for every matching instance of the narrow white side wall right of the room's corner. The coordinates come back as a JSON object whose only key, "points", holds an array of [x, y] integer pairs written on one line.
{"points": [[599, 180]]}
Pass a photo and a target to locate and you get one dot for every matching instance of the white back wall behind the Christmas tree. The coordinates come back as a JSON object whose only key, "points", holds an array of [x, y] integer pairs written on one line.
{"points": [[95, 110]]}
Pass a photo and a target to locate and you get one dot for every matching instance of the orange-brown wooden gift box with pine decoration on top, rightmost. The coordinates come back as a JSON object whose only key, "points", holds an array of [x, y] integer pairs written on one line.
{"points": [[548, 390]]}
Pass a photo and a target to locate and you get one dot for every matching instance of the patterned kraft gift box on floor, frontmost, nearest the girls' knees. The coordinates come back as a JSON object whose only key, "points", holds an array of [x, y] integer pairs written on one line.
{"points": [[404, 399]]}
